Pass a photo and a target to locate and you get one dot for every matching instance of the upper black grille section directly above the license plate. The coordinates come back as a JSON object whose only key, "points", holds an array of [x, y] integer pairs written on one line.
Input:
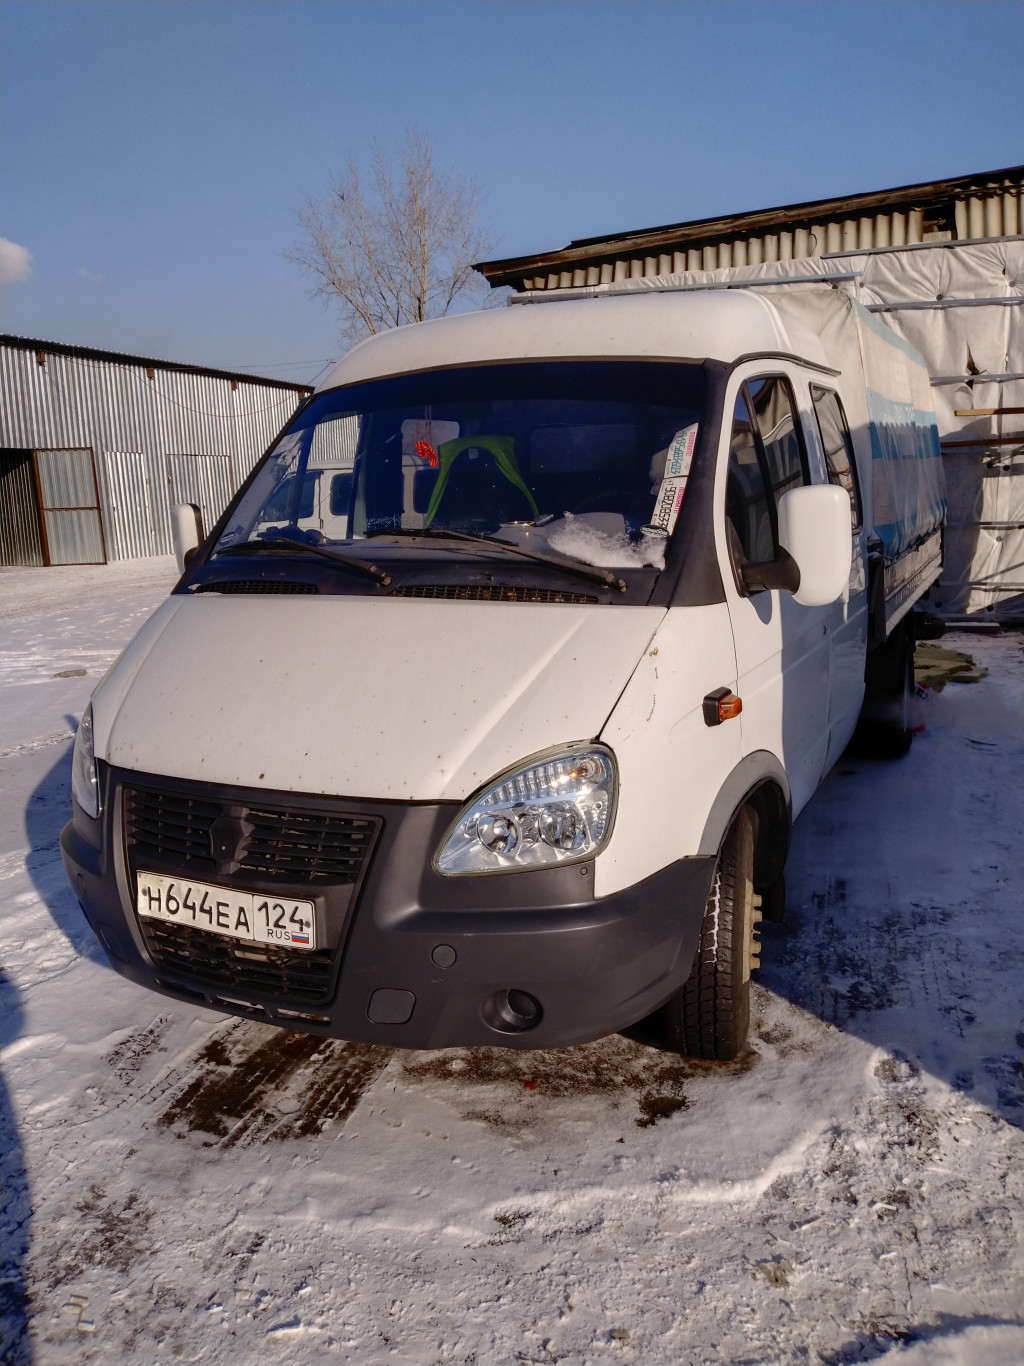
{"points": [[286, 845]]}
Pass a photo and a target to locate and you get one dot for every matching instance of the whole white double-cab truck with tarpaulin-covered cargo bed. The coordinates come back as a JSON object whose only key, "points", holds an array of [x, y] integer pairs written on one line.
{"points": [[503, 742]]}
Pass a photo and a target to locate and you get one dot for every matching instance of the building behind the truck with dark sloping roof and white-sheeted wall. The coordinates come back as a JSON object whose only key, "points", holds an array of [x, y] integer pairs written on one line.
{"points": [[943, 263]]}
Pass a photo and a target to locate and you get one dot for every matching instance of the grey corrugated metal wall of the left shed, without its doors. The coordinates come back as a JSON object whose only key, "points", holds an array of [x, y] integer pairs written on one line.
{"points": [[134, 417]]}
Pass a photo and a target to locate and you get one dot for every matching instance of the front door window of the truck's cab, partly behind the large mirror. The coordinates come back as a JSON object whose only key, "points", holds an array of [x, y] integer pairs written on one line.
{"points": [[767, 460]]}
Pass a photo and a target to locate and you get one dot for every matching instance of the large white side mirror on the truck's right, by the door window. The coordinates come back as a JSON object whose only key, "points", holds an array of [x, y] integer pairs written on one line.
{"points": [[814, 525]]}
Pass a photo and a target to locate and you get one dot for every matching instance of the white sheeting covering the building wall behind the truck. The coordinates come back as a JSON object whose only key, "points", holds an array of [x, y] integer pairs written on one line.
{"points": [[961, 305]]}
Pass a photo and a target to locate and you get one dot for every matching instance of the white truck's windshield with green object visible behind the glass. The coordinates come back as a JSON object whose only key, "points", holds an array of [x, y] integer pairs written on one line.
{"points": [[582, 460]]}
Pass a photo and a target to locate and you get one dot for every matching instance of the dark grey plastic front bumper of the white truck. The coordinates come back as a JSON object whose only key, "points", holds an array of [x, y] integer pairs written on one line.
{"points": [[414, 960]]}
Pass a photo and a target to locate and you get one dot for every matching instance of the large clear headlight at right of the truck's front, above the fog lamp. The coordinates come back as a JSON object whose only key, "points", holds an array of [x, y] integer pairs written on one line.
{"points": [[556, 809]]}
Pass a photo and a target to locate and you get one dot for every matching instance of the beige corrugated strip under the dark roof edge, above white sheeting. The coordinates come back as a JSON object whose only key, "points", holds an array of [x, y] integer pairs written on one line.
{"points": [[993, 217]]}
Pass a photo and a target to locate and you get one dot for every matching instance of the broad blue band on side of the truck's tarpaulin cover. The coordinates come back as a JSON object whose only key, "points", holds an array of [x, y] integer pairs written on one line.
{"points": [[909, 484]]}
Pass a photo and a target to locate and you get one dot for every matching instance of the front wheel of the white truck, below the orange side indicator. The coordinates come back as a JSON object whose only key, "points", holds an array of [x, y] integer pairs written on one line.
{"points": [[709, 1017]]}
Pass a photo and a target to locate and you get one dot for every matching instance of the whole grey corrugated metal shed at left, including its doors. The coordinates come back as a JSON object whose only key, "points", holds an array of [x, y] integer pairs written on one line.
{"points": [[96, 447]]}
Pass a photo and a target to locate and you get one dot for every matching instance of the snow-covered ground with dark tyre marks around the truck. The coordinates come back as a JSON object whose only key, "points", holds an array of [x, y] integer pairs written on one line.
{"points": [[188, 1188]]}
